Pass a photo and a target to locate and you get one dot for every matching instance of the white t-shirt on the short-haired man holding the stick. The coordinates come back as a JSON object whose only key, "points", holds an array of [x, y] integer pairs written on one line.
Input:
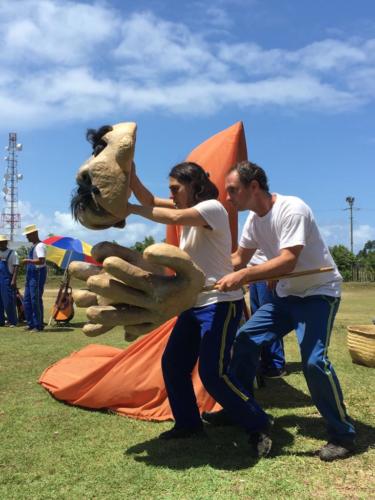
{"points": [[289, 223]]}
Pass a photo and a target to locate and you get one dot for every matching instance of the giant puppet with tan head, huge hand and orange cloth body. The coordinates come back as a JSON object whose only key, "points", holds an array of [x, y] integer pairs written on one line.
{"points": [[129, 381]]}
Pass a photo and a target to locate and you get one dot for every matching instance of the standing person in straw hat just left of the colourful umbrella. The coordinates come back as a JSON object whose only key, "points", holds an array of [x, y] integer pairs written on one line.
{"points": [[36, 274]]}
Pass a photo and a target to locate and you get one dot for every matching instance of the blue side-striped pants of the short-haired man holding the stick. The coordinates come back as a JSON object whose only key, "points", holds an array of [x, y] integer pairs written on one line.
{"points": [[312, 318]]}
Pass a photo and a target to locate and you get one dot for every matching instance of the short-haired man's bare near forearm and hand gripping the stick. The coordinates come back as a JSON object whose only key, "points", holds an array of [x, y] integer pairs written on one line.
{"points": [[282, 264]]}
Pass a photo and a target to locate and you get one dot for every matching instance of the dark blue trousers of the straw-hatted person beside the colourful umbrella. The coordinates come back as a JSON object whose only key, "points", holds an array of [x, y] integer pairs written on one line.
{"points": [[33, 298]]}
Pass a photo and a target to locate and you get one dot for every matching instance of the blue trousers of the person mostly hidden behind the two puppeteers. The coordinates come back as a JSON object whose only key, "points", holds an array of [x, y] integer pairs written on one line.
{"points": [[272, 356]]}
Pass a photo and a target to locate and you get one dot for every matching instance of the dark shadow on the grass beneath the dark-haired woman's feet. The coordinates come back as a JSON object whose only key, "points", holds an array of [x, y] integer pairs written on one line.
{"points": [[223, 448]]}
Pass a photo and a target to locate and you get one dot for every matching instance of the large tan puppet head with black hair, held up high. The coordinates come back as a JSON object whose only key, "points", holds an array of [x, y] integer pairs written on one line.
{"points": [[103, 180]]}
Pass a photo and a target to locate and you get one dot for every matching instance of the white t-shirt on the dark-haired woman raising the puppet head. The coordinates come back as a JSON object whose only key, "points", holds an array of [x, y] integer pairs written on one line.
{"points": [[210, 249]]}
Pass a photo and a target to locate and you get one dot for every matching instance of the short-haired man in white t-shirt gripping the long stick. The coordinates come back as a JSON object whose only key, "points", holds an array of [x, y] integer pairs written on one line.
{"points": [[283, 227]]}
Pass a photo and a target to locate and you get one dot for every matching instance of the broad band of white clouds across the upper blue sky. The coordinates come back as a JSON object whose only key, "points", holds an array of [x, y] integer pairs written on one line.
{"points": [[77, 61]]}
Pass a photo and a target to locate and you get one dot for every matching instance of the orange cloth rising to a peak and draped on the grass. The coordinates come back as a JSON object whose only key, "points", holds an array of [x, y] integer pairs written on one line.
{"points": [[130, 381]]}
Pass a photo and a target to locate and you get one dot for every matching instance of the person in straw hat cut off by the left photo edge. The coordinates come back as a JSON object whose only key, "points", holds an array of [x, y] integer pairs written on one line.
{"points": [[8, 282]]}
